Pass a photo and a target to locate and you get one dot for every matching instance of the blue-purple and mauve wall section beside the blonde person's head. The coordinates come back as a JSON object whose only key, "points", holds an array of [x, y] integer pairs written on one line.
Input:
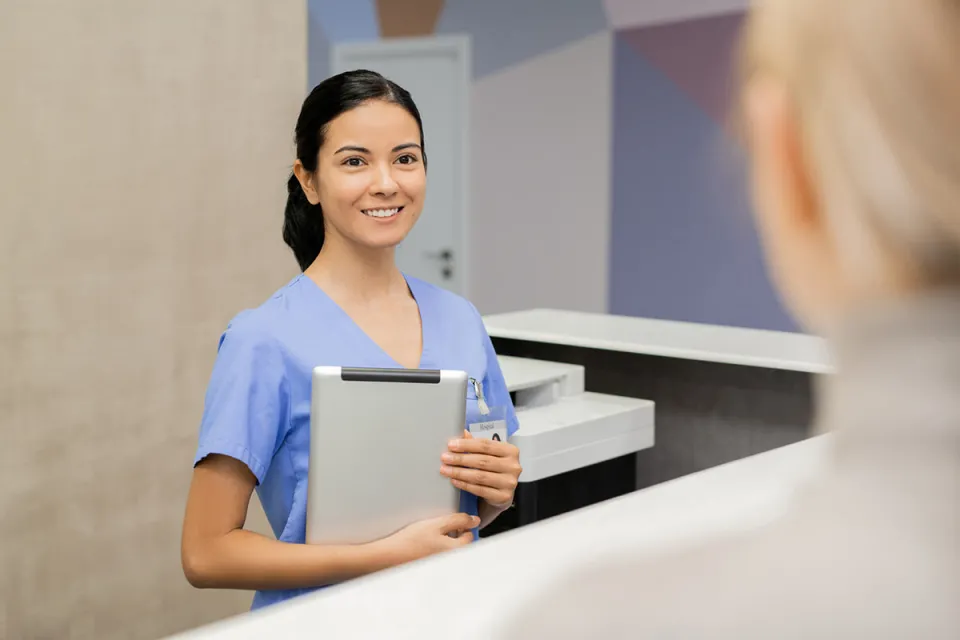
{"points": [[683, 245]]}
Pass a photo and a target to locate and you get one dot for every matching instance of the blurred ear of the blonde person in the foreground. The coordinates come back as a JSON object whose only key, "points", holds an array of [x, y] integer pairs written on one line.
{"points": [[781, 170]]}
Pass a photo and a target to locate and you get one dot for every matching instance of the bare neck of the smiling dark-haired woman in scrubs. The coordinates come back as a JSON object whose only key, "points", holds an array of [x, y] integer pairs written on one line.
{"points": [[346, 270]]}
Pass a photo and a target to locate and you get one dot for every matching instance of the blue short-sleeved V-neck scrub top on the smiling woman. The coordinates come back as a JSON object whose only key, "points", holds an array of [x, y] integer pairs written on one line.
{"points": [[257, 406]]}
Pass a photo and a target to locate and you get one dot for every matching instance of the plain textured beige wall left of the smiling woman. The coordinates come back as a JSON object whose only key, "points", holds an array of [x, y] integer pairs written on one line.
{"points": [[144, 147]]}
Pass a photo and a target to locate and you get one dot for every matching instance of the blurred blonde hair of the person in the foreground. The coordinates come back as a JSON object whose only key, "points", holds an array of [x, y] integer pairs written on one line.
{"points": [[874, 84]]}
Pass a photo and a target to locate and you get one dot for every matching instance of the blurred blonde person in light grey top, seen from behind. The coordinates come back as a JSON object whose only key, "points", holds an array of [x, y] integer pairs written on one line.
{"points": [[851, 110]]}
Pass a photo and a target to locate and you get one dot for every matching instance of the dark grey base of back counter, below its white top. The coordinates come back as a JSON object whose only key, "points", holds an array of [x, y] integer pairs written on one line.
{"points": [[706, 414]]}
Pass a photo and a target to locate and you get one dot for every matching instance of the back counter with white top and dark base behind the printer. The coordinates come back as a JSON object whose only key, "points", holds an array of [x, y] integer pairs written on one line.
{"points": [[720, 393]]}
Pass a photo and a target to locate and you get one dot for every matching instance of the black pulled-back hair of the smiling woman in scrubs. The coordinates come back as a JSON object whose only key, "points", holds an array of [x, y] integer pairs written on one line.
{"points": [[302, 221]]}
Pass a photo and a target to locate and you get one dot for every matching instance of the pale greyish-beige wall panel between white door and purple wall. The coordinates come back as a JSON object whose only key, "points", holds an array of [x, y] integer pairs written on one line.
{"points": [[556, 252]]}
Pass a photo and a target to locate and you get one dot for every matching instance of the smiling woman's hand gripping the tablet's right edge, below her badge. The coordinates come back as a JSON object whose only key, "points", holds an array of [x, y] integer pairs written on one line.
{"points": [[486, 468]]}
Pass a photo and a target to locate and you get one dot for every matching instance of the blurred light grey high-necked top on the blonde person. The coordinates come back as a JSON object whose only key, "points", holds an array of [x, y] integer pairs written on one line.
{"points": [[870, 549]]}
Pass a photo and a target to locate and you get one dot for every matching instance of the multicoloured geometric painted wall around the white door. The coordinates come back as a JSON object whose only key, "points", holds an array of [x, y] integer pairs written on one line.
{"points": [[669, 193]]}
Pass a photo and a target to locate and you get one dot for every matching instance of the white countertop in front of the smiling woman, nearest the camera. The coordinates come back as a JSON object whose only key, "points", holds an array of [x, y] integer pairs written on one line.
{"points": [[437, 597]]}
